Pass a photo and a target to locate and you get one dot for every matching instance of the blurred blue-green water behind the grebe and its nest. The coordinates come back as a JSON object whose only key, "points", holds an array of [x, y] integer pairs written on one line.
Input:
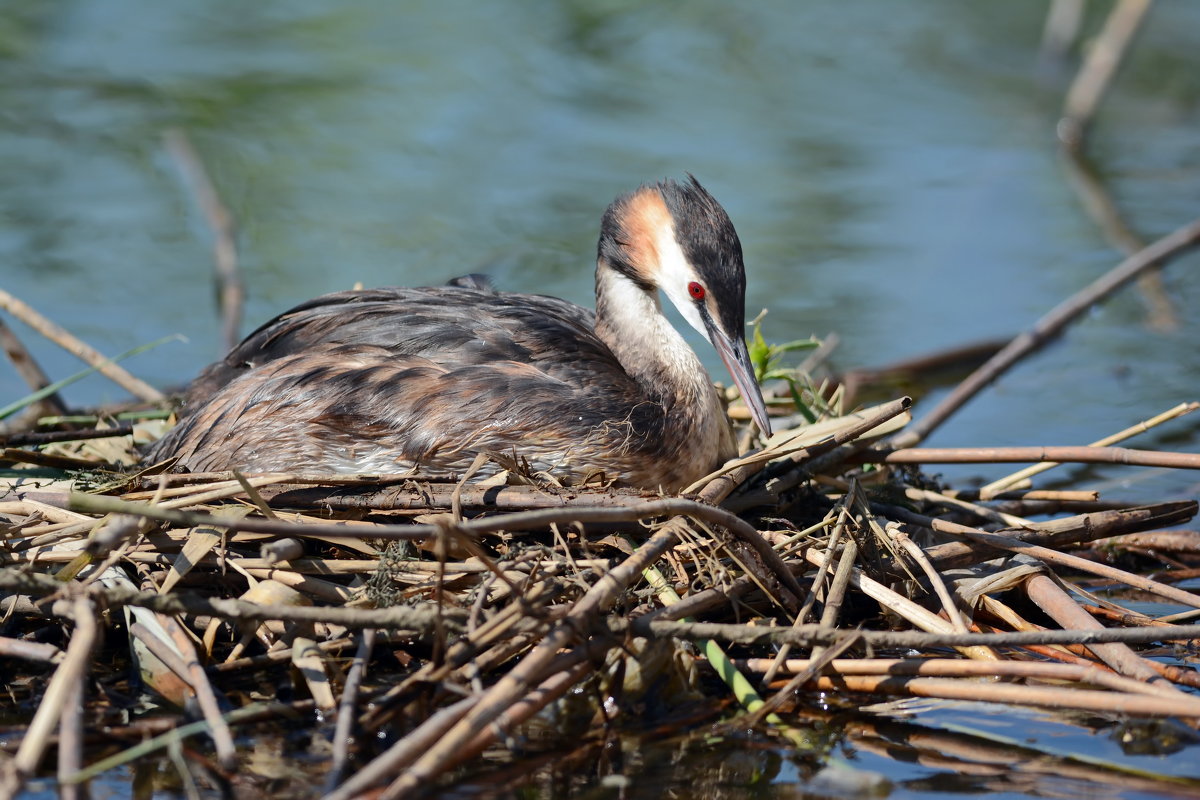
{"points": [[892, 171]]}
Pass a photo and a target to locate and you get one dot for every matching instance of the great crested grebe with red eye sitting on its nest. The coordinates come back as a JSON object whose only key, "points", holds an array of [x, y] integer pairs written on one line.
{"points": [[381, 381]]}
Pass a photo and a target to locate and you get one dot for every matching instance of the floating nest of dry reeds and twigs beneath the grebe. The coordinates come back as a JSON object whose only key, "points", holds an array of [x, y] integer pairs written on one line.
{"points": [[405, 634]]}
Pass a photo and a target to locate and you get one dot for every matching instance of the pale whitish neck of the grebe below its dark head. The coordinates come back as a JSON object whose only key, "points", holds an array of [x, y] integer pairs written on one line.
{"points": [[632, 323]]}
